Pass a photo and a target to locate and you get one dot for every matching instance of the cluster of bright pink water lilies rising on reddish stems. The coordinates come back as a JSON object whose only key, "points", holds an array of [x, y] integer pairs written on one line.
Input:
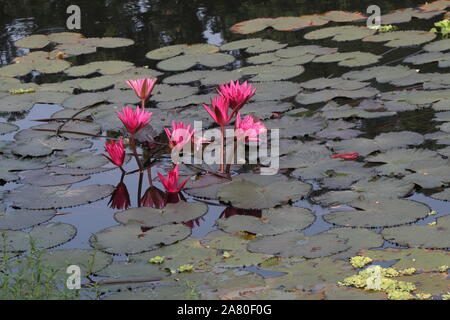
{"points": [[223, 109]]}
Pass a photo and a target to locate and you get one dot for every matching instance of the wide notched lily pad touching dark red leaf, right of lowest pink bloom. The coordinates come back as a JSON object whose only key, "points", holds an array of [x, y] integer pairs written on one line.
{"points": [[273, 221]]}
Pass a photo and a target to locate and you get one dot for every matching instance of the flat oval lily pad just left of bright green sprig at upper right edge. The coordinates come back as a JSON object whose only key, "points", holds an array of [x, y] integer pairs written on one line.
{"points": [[402, 38]]}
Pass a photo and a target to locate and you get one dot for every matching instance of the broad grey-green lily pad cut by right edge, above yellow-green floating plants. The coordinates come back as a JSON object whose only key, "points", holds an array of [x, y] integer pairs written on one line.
{"points": [[427, 236]]}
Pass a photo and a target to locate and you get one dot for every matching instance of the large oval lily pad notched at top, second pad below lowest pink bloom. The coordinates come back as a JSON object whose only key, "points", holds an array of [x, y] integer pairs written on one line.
{"points": [[133, 238]]}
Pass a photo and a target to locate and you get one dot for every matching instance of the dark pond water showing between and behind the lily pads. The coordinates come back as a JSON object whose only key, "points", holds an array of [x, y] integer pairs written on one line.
{"points": [[153, 24]]}
